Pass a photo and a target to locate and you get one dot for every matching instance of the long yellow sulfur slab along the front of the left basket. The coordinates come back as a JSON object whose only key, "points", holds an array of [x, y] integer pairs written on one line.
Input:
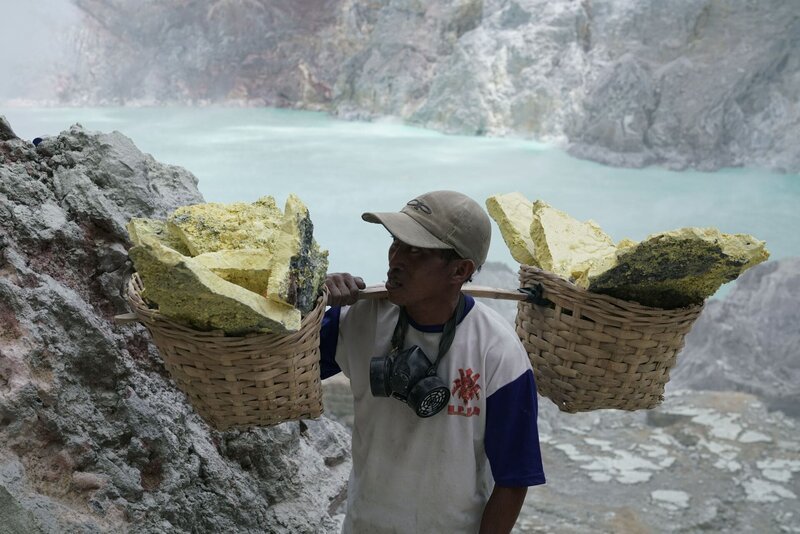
{"points": [[188, 292]]}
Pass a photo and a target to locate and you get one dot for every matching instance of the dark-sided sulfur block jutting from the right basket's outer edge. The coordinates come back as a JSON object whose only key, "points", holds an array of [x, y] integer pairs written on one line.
{"points": [[679, 268]]}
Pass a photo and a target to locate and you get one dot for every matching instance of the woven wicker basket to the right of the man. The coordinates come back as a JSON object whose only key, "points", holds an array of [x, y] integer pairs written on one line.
{"points": [[591, 351]]}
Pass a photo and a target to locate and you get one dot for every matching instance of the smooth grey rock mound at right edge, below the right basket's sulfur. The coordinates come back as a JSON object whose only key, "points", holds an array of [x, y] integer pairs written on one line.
{"points": [[749, 341]]}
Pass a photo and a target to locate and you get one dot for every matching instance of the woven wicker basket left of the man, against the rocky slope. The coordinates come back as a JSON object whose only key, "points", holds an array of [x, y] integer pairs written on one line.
{"points": [[240, 382]]}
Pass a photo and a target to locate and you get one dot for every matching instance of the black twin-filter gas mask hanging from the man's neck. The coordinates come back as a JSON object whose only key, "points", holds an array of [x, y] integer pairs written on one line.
{"points": [[409, 375]]}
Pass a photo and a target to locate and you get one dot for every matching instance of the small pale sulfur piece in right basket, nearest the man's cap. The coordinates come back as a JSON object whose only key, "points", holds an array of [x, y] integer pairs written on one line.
{"points": [[513, 214]]}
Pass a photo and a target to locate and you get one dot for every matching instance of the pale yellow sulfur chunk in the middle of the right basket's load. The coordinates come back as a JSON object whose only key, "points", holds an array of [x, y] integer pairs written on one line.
{"points": [[567, 247]]}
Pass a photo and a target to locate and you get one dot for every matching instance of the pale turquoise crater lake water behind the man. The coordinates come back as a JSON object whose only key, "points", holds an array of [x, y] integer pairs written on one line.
{"points": [[341, 169]]}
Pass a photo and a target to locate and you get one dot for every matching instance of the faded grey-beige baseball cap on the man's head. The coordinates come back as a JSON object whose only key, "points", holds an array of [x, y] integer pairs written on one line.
{"points": [[440, 219]]}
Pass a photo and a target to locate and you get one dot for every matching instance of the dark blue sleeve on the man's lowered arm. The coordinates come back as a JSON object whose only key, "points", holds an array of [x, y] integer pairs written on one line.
{"points": [[512, 435]]}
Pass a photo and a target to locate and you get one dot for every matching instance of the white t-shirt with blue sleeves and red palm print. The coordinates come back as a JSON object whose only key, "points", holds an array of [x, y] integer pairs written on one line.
{"points": [[435, 474]]}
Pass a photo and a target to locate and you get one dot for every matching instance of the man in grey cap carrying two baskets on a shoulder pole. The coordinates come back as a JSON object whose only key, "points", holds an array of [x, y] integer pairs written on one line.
{"points": [[467, 467]]}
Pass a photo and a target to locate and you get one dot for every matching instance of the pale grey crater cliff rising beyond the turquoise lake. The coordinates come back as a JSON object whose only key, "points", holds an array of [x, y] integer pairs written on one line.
{"points": [[700, 84]]}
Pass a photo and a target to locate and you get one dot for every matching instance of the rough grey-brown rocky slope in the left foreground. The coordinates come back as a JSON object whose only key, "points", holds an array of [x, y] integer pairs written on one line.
{"points": [[94, 437]]}
